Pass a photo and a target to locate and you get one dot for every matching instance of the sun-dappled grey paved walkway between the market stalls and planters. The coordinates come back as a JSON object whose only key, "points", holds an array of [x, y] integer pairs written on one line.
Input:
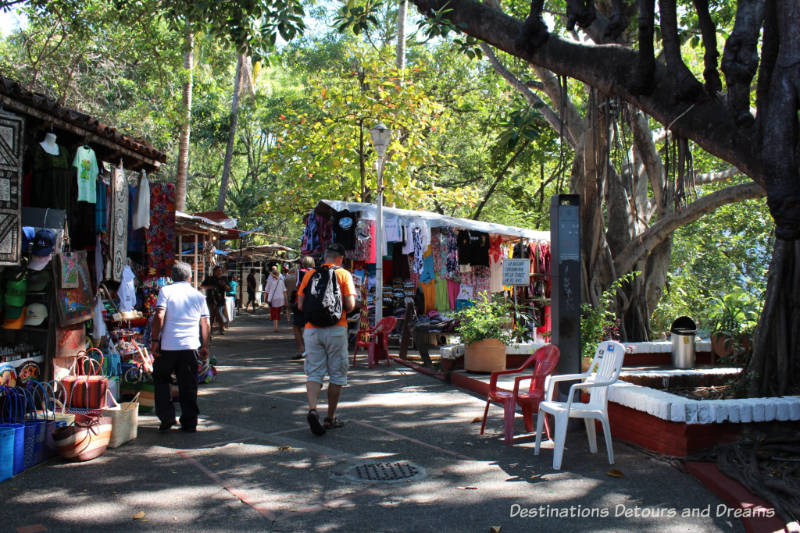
{"points": [[255, 466]]}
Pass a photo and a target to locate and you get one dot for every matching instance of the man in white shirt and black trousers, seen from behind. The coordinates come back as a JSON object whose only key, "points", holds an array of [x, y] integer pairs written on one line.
{"points": [[181, 331]]}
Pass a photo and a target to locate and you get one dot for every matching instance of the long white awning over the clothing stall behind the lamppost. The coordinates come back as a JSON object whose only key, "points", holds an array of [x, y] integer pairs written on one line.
{"points": [[435, 220]]}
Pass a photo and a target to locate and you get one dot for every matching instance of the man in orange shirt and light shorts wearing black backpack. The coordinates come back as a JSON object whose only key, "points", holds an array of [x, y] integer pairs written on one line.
{"points": [[325, 296]]}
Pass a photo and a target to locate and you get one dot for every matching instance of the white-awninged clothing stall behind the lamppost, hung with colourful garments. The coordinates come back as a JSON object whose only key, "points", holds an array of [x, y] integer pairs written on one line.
{"points": [[440, 263]]}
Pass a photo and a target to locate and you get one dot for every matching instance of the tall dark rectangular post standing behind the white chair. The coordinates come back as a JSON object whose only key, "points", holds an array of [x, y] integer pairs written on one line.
{"points": [[565, 271]]}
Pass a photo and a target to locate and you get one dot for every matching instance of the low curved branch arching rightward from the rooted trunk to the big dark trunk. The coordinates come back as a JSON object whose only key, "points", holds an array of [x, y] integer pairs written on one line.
{"points": [[659, 231]]}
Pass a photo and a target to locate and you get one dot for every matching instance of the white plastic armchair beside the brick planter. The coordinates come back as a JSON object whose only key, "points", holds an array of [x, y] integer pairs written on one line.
{"points": [[604, 371]]}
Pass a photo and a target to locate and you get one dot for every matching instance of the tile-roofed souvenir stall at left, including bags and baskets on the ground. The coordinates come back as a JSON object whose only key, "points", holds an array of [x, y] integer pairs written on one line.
{"points": [[86, 237]]}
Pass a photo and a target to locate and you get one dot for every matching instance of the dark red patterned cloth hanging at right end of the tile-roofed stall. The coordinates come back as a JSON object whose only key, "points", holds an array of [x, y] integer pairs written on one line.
{"points": [[161, 234]]}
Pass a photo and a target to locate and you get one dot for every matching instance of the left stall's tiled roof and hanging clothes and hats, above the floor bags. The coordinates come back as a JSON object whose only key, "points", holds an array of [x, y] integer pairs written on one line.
{"points": [[80, 217]]}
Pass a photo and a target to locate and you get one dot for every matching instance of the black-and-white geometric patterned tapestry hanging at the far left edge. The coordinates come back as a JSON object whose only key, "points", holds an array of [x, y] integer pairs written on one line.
{"points": [[11, 148]]}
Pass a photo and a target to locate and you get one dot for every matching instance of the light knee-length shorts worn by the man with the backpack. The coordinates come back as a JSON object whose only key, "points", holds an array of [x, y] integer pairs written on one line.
{"points": [[326, 353]]}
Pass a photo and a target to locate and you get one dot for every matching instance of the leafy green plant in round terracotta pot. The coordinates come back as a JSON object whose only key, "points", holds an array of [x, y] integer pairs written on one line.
{"points": [[483, 329]]}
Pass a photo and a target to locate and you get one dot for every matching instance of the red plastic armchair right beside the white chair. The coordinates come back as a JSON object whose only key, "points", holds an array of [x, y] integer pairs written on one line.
{"points": [[544, 363]]}
